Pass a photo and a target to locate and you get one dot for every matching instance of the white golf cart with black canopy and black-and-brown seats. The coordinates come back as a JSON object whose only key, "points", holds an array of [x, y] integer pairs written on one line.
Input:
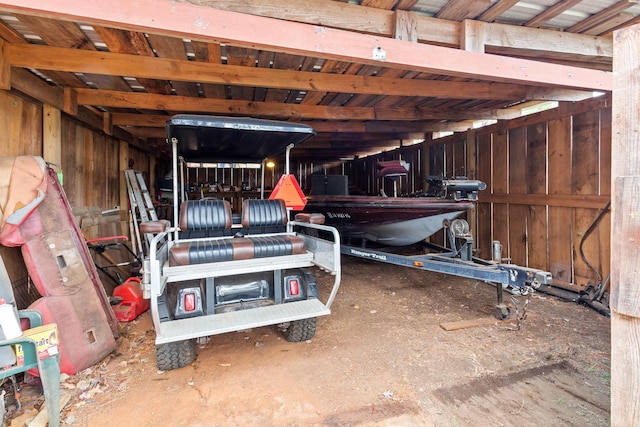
{"points": [[213, 271]]}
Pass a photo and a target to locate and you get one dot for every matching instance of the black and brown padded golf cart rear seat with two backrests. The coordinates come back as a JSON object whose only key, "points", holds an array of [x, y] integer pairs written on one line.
{"points": [[258, 217]]}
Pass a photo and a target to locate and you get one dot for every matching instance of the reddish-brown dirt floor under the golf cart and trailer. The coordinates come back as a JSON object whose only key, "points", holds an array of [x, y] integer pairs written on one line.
{"points": [[380, 359]]}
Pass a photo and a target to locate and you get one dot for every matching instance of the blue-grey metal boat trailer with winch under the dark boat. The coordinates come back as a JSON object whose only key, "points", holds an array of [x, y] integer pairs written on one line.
{"points": [[458, 260]]}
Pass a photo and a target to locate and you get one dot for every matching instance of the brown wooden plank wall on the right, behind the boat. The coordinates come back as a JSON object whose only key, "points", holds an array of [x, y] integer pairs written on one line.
{"points": [[548, 178]]}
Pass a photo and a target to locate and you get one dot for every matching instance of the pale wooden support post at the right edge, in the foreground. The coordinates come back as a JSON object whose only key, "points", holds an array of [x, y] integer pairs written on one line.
{"points": [[625, 230]]}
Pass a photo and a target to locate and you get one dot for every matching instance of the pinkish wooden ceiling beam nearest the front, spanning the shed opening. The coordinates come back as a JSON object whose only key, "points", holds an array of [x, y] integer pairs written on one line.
{"points": [[206, 24]]}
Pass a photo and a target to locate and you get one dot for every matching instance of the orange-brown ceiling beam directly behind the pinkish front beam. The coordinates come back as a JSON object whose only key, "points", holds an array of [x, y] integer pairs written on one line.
{"points": [[144, 67]]}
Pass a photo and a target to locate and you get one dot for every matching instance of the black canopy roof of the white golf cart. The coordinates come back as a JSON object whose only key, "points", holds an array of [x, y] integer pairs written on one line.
{"points": [[233, 139]]}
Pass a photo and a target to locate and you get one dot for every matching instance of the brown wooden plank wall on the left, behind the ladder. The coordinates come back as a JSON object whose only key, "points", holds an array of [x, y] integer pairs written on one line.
{"points": [[90, 165]]}
